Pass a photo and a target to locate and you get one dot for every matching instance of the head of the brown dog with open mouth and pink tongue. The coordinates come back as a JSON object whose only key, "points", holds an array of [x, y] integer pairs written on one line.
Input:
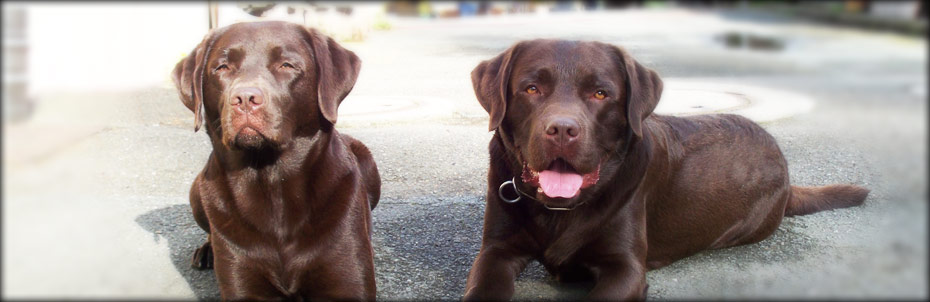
{"points": [[564, 109]]}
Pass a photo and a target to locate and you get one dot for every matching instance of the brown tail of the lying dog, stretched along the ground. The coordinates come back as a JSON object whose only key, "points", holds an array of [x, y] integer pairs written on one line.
{"points": [[808, 200]]}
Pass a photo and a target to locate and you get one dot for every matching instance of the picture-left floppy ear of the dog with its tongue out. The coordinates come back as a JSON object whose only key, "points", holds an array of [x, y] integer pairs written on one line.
{"points": [[491, 81]]}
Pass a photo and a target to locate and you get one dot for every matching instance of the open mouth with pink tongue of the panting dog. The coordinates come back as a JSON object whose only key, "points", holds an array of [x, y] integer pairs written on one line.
{"points": [[559, 180]]}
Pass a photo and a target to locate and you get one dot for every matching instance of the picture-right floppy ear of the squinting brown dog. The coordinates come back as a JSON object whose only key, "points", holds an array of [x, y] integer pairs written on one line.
{"points": [[337, 70]]}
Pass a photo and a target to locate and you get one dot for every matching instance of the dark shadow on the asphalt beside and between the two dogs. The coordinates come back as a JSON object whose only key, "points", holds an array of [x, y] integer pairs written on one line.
{"points": [[422, 250]]}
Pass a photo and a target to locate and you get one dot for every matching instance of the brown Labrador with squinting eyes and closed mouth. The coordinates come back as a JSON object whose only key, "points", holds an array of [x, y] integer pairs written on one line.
{"points": [[285, 198]]}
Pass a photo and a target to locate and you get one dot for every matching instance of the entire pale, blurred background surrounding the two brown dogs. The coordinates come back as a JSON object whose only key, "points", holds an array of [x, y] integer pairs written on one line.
{"points": [[99, 152]]}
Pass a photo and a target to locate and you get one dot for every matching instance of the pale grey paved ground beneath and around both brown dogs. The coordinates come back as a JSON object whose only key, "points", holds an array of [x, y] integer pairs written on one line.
{"points": [[95, 186]]}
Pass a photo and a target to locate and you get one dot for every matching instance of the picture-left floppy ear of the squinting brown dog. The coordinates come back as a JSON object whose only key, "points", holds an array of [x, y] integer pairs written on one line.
{"points": [[188, 78]]}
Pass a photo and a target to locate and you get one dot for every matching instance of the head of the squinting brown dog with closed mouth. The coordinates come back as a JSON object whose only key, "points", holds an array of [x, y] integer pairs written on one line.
{"points": [[260, 84]]}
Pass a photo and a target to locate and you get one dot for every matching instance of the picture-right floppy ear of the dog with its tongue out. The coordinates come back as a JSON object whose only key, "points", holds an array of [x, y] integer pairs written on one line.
{"points": [[643, 90]]}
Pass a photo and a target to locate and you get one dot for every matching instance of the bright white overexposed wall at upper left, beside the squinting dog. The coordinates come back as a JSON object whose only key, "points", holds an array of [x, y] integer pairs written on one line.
{"points": [[79, 47]]}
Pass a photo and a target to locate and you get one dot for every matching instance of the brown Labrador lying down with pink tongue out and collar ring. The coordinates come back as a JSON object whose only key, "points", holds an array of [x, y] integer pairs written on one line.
{"points": [[585, 180]]}
